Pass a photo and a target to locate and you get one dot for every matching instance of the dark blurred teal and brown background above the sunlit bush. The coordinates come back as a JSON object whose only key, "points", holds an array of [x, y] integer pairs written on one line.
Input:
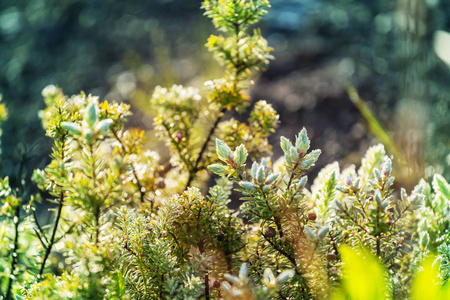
{"points": [[339, 63]]}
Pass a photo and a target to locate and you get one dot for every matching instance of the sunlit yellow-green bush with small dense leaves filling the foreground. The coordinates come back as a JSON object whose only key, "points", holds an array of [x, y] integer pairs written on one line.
{"points": [[128, 225]]}
